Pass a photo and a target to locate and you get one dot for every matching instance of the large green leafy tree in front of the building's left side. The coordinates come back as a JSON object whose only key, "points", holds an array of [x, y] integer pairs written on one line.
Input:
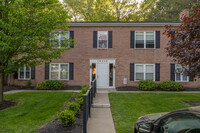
{"points": [[24, 28]]}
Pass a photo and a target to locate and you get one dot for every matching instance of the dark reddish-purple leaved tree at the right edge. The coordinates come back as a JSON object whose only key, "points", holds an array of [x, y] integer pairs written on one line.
{"points": [[184, 45]]}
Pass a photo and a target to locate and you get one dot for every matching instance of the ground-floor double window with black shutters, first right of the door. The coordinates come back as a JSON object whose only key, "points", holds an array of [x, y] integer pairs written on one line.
{"points": [[145, 72]]}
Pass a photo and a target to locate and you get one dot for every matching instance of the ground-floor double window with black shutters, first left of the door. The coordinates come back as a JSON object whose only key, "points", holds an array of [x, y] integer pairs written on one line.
{"points": [[59, 71]]}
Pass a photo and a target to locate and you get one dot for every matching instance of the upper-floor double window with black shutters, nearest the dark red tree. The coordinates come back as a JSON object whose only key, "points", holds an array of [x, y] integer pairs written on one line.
{"points": [[145, 39]]}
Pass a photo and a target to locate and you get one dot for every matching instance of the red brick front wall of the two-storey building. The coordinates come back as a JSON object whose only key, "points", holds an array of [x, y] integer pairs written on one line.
{"points": [[81, 54]]}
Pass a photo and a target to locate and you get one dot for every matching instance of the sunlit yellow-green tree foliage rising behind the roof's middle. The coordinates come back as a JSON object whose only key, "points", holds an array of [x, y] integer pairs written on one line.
{"points": [[102, 10]]}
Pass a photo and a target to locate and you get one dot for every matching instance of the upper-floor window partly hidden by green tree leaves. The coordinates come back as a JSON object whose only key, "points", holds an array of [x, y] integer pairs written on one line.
{"points": [[59, 38]]}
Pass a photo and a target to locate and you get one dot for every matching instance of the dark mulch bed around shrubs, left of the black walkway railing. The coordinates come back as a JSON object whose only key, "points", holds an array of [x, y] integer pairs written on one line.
{"points": [[56, 126]]}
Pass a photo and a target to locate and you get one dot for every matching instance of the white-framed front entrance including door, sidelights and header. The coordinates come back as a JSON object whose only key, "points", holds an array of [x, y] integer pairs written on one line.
{"points": [[104, 71]]}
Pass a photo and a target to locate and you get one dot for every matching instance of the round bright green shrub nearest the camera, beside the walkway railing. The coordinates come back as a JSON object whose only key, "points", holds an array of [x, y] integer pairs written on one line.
{"points": [[67, 117]]}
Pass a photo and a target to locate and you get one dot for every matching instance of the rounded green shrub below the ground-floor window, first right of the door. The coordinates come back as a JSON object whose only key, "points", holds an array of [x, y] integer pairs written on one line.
{"points": [[147, 85]]}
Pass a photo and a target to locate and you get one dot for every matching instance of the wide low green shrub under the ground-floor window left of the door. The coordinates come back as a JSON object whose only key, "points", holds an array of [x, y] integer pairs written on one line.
{"points": [[50, 85]]}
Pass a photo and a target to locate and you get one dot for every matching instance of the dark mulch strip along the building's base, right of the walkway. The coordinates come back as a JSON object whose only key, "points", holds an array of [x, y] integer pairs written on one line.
{"points": [[134, 88]]}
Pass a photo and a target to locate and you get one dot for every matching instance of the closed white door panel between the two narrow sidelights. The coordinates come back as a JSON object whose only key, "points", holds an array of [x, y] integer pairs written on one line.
{"points": [[102, 75]]}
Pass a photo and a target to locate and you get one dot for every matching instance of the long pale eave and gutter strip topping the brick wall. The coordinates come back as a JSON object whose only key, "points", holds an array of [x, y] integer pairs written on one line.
{"points": [[123, 24]]}
